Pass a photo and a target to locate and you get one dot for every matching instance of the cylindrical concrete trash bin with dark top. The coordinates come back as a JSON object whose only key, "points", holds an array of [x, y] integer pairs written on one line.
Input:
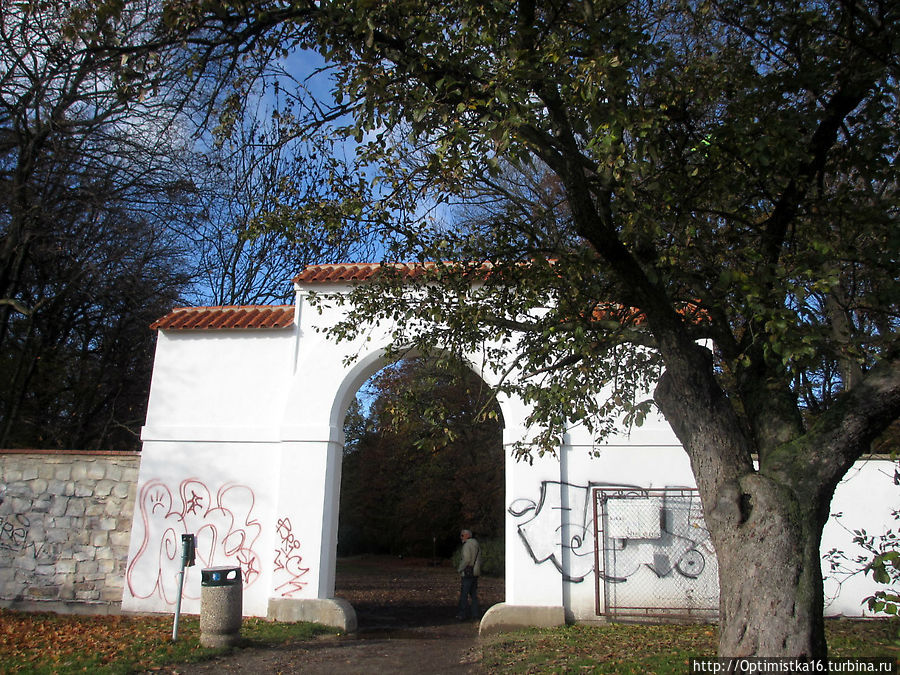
{"points": [[221, 606]]}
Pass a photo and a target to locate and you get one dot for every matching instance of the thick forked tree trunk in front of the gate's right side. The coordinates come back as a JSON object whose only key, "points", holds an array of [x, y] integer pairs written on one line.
{"points": [[766, 521]]}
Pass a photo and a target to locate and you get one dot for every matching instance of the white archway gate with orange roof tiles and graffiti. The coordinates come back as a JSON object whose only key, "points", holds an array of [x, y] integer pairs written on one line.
{"points": [[243, 443]]}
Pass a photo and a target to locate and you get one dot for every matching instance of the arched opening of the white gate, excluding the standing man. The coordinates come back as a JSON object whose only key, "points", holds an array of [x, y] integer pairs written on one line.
{"points": [[422, 458]]}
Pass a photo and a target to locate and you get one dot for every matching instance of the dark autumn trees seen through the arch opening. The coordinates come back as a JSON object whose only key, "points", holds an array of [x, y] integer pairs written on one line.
{"points": [[423, 459]]}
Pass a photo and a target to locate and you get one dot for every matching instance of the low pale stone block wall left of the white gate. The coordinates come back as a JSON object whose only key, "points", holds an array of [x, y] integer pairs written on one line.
{"points": [[65, 521]]}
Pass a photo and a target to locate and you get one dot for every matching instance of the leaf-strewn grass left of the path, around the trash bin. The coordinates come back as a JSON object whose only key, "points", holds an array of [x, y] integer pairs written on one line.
{"points": [[55, 643]]}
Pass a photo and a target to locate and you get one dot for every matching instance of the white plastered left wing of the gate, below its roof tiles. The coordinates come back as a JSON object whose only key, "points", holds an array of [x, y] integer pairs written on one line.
{"points": [[210, 464]]}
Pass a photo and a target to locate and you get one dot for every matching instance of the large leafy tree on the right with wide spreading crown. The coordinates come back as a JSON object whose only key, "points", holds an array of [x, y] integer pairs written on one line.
{"points": [[700, 194]]}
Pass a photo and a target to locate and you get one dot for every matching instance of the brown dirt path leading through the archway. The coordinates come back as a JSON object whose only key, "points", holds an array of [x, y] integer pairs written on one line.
{"points": [[406, 619]]}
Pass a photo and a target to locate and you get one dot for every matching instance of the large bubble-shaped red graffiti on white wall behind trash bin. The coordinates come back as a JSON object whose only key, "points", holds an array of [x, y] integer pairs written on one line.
{"points": [[223, 522]]}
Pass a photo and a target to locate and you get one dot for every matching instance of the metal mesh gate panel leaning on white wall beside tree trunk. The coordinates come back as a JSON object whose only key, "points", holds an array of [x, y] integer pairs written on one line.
{"points": [[653, 555]]}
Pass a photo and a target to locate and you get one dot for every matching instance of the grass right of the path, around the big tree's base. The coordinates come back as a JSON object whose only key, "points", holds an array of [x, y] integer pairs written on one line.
{"points": [[633, 649]]}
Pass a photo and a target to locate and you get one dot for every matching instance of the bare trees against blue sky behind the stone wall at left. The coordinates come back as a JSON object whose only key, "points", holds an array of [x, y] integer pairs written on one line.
{"points": [[117, 202]]}
